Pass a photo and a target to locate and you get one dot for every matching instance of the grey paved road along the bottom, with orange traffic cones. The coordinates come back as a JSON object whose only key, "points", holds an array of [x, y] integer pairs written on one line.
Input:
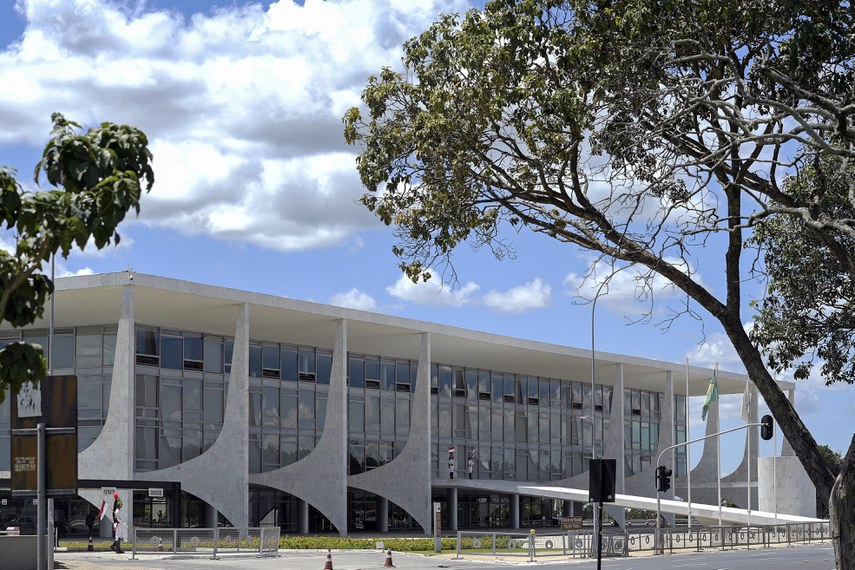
{"points": [[819, 556]]}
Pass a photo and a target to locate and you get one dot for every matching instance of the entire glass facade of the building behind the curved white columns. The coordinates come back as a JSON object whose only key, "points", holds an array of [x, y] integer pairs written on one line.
{"points": [[514, 426]]}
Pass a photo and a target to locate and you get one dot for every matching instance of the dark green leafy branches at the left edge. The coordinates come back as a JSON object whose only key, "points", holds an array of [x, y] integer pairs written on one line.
{"points": [[96, 178]]}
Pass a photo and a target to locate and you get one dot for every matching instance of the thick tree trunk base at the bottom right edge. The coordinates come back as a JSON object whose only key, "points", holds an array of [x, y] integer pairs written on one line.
{"points": [[841, 512]]}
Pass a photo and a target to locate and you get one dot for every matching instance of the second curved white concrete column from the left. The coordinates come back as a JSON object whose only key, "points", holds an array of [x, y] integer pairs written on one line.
{"points": [[219, 475]]}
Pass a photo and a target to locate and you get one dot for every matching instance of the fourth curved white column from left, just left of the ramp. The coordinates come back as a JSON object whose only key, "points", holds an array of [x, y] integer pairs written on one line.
{"points": [[406, 480]]}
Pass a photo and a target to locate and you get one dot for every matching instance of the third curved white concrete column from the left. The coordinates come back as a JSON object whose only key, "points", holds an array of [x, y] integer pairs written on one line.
{"points": [[320, 478]]}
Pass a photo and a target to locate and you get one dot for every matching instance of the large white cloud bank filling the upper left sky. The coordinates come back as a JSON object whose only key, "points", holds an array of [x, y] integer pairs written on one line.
{"points": [[242, 105]]}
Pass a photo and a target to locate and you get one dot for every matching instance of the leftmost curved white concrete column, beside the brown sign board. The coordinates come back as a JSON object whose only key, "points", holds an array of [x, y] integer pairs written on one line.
{"points": [[111, 455]]}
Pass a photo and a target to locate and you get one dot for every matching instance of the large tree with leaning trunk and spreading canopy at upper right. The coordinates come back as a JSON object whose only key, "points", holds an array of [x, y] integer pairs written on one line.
{"points": [[643, 130]]}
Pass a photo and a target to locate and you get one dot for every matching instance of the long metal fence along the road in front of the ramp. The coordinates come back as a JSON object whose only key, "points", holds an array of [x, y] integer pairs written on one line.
{"points": [[579, 544]]}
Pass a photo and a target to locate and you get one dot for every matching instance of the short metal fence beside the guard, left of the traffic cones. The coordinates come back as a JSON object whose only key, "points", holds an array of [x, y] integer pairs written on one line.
{"points": [[263, 541]]}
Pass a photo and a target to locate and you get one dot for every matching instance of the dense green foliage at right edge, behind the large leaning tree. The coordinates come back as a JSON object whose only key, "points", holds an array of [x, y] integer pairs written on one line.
{"points": [[797, 329]]}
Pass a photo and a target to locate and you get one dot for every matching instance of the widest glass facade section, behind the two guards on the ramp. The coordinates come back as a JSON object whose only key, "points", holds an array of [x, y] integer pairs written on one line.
{"points": [[515, 427]]}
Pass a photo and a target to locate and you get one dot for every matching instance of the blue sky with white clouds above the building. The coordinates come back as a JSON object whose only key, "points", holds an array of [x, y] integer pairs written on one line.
{"points": [[256, 189]]}
